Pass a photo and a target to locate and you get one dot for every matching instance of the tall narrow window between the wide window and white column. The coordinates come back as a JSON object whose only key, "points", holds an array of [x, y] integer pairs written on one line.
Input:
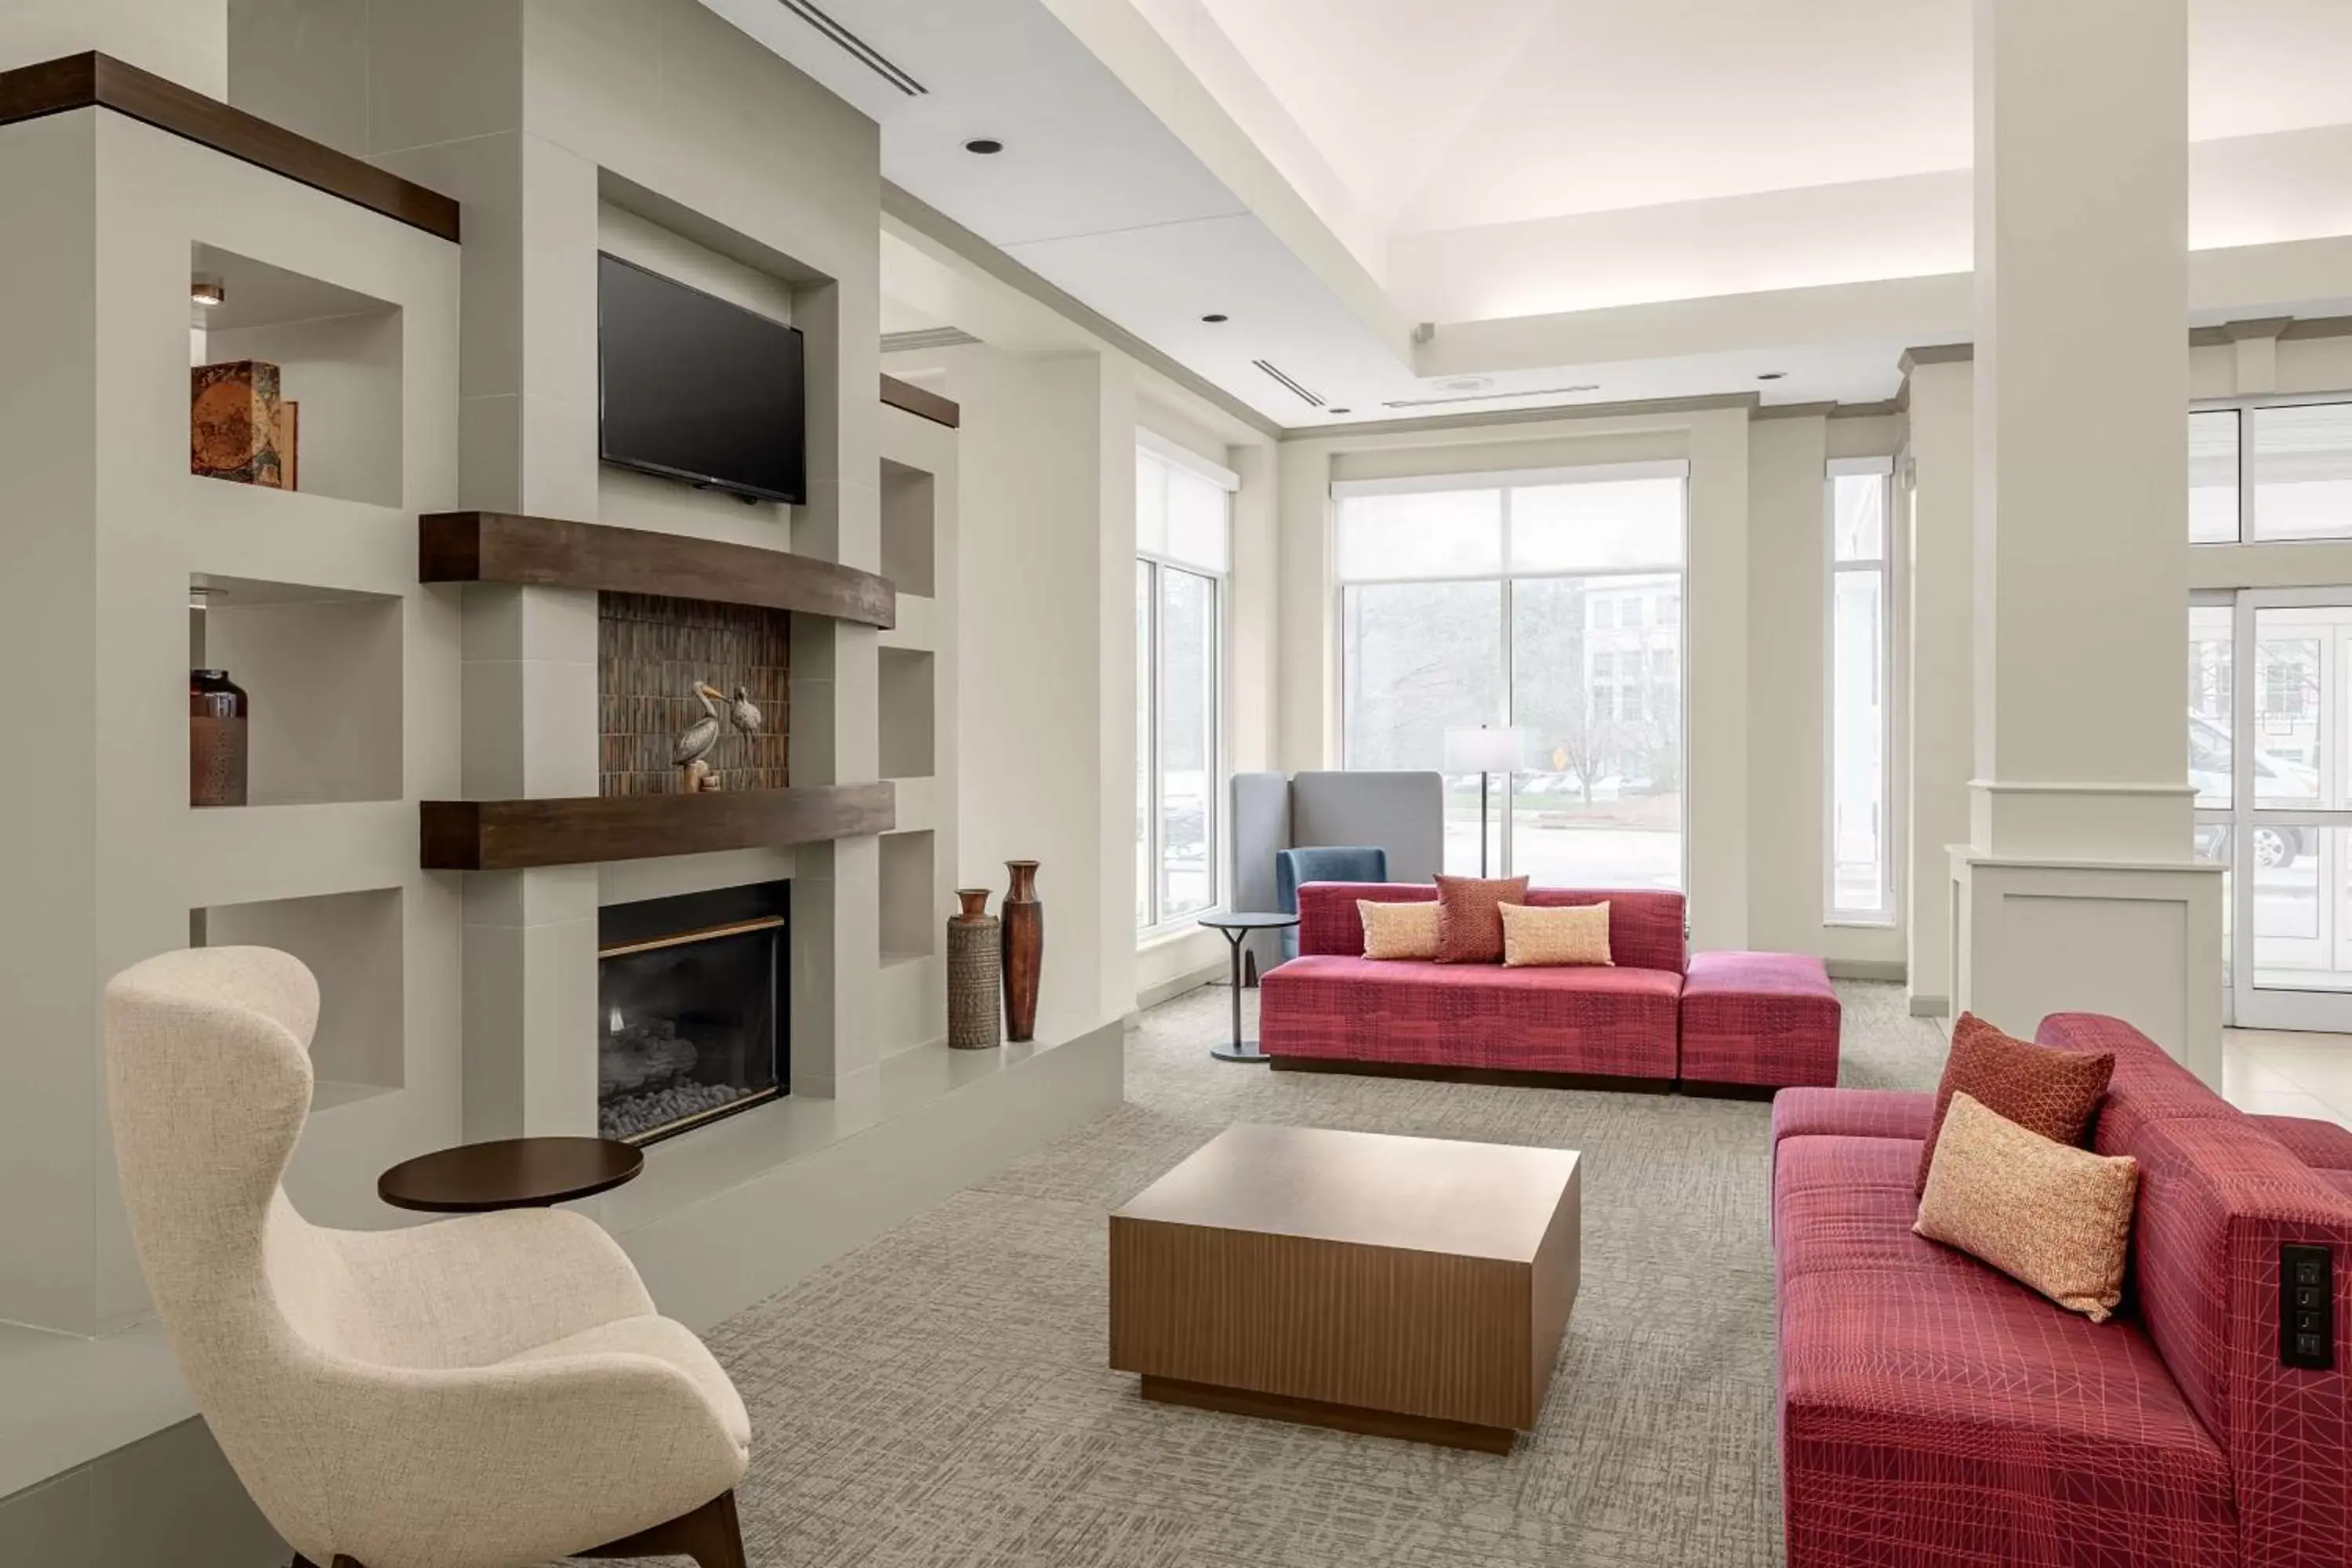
{"points": [[1862, 662]]}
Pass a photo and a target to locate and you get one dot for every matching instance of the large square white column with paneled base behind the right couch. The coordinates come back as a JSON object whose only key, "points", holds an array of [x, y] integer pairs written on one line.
{"points": [[2078, 890]]}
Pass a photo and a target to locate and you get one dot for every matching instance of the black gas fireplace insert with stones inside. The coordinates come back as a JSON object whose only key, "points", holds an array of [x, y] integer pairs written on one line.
{"points": [[690, 1010]]}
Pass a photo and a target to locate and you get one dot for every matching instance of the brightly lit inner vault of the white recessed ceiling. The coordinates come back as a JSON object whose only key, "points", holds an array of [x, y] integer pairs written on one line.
{"points": [[1504, 112]]}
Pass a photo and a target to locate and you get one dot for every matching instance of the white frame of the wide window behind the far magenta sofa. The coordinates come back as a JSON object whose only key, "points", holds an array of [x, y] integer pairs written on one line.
{"points": [[1506, 579]]}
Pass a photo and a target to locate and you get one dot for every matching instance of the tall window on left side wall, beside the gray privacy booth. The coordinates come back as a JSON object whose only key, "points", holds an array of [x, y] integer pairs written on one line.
{"points": [[1182, 561]]}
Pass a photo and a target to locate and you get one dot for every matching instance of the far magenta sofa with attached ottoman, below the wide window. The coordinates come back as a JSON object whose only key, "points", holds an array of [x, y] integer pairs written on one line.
{"points": [[1739, 1019]]}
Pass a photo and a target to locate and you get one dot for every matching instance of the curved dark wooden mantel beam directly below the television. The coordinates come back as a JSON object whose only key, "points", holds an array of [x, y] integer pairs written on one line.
{"points": [[556, 554]]}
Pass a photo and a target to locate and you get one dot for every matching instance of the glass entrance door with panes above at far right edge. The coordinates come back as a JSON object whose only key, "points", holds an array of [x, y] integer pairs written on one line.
{"points": [[2271, 709]]}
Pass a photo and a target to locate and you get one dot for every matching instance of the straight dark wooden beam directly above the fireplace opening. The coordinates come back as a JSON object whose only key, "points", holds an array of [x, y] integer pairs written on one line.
{"points": [[507, 836]]}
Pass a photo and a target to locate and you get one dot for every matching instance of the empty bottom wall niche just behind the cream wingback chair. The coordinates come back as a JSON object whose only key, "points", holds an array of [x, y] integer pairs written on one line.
{"points": [[354, 946]]}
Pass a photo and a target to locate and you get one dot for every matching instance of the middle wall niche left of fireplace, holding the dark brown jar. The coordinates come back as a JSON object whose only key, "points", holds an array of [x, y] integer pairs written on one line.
{"points": [[321, 681]]}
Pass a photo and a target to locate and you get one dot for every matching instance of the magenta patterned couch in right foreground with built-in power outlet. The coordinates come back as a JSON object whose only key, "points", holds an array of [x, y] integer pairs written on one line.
{"points": [[1935, 1412]]}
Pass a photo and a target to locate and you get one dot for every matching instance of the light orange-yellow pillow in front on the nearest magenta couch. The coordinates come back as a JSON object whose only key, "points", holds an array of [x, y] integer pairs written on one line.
{"points": [[2047, 1217]]}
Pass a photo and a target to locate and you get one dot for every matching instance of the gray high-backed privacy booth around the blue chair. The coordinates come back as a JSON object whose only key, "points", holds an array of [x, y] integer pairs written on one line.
{"points": [[1398, 812]]}
